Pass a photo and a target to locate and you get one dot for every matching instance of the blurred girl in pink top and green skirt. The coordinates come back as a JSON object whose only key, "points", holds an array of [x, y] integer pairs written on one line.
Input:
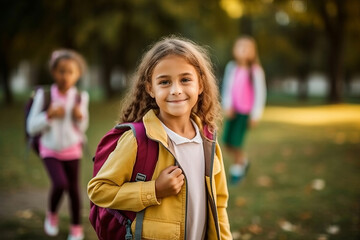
{"points": [[243, 100]]}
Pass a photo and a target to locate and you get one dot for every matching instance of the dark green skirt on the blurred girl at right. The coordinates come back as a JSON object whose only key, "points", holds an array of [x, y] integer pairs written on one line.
{"points": [[235, 130]]}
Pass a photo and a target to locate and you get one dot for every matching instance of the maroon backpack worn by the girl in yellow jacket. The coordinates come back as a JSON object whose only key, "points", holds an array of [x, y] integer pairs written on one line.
{"points": [[112, 223]]}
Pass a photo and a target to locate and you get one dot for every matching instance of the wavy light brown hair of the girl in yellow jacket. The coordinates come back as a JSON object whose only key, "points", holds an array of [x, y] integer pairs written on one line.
{"points": [[138, 101]]}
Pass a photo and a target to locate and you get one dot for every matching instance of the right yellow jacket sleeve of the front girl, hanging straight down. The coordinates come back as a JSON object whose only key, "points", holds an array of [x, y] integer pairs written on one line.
{"points": [[222, 196]]}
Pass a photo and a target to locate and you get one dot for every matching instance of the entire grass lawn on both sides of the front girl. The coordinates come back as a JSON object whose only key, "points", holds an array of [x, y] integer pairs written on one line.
{"points": [[303, 183]]}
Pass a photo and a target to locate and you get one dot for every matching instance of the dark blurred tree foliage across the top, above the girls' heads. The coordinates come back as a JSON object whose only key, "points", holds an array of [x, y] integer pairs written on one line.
{"points": [[296, 37]]}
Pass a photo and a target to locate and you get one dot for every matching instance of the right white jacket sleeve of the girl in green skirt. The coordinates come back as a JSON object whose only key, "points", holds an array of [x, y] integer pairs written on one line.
{"points": [[260, 93]]}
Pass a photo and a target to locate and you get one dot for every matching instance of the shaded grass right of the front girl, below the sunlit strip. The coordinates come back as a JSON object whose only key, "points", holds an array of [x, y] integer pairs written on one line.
{"points": [[285, 160]]}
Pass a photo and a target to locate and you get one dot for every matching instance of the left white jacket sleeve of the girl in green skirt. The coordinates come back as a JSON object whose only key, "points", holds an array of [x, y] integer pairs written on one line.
{"points": [[226, 98]]}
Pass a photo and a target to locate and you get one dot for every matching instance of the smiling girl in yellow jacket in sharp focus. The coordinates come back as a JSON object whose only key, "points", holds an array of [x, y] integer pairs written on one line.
{"points": [[175, 95]]}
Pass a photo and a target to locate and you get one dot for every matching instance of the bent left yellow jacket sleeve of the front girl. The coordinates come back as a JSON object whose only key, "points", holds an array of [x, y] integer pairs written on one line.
{"points": [[111, 188]]}
